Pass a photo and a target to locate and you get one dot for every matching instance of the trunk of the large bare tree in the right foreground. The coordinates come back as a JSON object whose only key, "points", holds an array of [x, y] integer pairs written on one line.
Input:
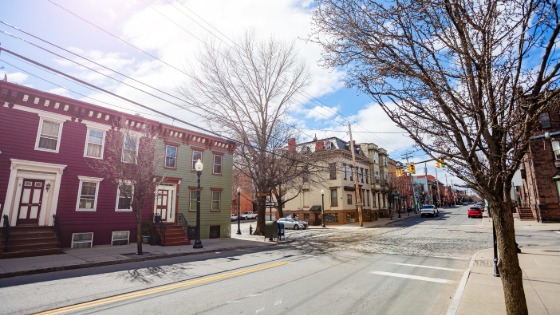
{"points": [[508, 265]]}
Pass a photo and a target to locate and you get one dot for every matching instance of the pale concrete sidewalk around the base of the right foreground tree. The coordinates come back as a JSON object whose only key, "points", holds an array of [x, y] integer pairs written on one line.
{"points": [[482, 293]]}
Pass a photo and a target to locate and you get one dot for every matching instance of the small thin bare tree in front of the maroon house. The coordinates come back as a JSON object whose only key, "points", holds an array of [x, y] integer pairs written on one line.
{"points": [[130, 164]]}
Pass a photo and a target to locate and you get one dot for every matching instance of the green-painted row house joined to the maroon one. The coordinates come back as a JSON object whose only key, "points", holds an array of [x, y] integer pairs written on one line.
{"points": [[178, 150]]}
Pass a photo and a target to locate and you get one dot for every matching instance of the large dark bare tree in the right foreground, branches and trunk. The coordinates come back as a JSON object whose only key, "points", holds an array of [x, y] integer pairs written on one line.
{"points": [[466, 79]]}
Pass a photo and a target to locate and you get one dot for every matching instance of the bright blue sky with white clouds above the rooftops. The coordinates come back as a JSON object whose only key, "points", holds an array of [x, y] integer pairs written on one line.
{"points": [[122, 35]]}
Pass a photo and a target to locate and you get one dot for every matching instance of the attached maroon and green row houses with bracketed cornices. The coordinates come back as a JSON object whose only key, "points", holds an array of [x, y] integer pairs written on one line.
{"points": [[47, 146]]}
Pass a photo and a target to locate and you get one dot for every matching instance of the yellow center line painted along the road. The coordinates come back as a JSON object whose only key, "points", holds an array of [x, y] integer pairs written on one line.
{"points": [[156, 290]]}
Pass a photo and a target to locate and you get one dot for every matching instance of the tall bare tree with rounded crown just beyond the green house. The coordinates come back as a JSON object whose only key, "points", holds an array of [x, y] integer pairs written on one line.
{"points": [[244, 91]]}
